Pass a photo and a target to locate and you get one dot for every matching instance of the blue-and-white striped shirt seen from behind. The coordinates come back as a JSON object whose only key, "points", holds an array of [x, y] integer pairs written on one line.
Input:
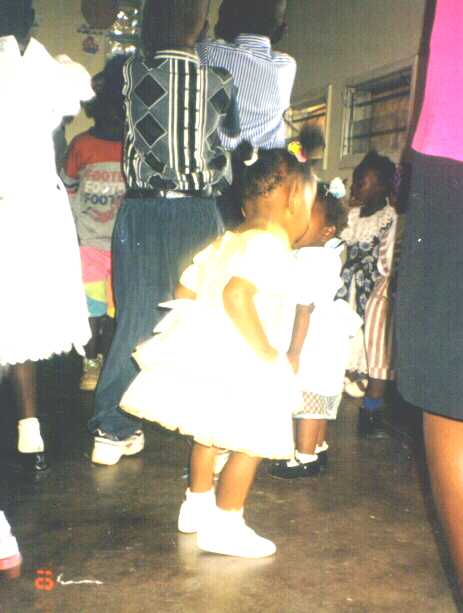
{"points": [[264, 79]]}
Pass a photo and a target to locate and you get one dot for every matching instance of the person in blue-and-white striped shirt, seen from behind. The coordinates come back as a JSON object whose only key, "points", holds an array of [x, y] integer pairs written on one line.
{"points": [[246, 32]]}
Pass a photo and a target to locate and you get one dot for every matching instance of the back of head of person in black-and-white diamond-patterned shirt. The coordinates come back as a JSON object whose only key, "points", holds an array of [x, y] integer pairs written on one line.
{"points": [[172, 23]]}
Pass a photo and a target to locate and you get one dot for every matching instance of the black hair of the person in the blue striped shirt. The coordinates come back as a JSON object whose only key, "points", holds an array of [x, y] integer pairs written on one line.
{"points": [[245, 17]]}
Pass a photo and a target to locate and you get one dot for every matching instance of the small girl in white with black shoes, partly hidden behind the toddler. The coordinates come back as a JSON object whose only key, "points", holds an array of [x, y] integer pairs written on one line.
{"points": [[322, 328]]}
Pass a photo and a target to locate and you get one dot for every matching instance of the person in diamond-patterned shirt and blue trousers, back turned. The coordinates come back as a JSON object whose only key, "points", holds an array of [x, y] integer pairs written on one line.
{"points": [[173, 173]]}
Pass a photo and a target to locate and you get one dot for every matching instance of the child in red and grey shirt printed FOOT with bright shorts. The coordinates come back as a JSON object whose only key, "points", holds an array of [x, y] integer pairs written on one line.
{"points": [[92, 174]]}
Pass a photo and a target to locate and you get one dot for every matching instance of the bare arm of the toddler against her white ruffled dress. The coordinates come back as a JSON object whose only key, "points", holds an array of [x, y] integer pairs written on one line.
{"points": [[238, 300]]}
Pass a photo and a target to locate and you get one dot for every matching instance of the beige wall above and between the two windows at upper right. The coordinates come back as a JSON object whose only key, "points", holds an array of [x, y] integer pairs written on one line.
{"points": [[335, 41]]}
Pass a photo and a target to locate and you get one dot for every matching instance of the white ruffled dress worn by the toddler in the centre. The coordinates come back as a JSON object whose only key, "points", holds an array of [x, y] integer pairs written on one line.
{"points": [[200, 376]]}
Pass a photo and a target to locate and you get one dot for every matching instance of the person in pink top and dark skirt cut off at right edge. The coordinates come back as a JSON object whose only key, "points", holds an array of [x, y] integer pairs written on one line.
{"points": [[430, 290]]}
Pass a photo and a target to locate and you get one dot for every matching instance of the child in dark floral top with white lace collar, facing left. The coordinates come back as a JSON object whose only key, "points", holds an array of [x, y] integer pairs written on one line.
{"points": [[372, 238]]}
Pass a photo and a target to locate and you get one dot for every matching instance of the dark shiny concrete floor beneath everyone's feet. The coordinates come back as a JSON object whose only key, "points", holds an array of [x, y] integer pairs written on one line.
{"points": [[361, 538]]}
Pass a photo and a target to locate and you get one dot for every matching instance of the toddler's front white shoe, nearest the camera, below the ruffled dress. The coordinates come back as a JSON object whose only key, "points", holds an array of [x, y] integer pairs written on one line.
{"points": [[227, 534]]}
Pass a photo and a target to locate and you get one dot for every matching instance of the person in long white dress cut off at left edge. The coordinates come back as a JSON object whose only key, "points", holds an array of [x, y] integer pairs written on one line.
{"points": [[43, 309]]}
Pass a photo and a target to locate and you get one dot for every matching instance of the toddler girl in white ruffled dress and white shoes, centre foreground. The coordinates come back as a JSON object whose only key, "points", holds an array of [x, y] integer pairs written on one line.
{"points": [[217, 367]]}
